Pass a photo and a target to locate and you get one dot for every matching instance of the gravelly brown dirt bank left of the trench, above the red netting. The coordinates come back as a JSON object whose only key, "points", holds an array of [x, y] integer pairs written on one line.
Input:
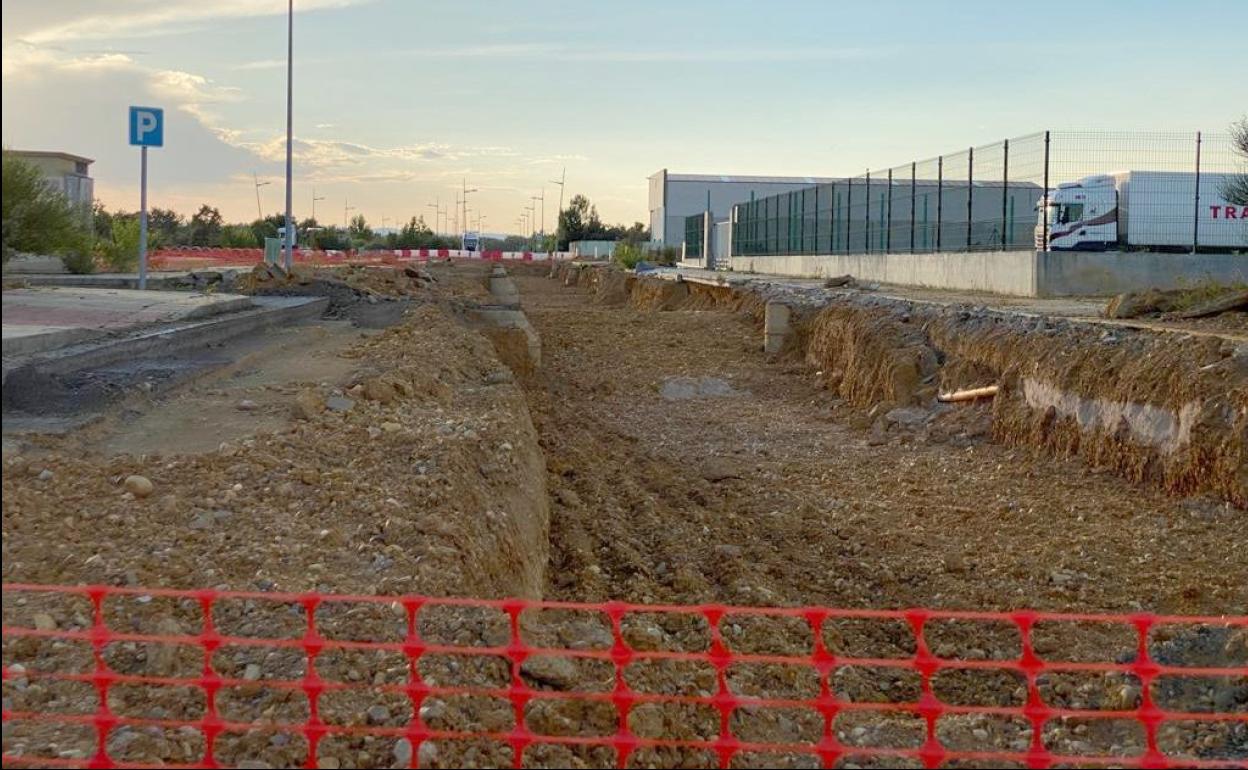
{"points": [[422, 477]]}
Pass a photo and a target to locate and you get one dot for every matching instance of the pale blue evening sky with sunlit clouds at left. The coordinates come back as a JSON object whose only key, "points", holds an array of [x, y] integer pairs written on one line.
{"points": [[401, 103]]}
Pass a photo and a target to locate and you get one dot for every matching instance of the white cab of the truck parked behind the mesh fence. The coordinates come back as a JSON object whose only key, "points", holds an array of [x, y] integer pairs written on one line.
{"points": [[1081, 217]]}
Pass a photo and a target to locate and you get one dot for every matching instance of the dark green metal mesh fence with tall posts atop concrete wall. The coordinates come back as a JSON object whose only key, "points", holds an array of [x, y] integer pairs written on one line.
{"points": [[1099, 192]]}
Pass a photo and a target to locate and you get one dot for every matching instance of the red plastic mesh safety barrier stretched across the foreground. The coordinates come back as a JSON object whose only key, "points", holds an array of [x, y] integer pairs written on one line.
{"points": [[739, 687]]}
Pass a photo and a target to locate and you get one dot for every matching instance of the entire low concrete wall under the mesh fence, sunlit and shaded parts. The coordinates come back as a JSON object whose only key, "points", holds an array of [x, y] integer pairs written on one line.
{"points": [[1025, 274]]}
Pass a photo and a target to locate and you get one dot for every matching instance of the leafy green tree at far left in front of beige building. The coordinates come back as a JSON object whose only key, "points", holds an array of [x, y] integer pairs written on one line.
{"points": [[38, 219]]}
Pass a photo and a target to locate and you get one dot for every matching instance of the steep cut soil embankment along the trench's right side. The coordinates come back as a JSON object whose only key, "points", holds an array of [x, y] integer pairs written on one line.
{"points": [[1158, 407]]}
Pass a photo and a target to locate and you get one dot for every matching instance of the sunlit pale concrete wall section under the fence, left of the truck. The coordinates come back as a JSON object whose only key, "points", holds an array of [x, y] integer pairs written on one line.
{"points": [[1004, 273]]}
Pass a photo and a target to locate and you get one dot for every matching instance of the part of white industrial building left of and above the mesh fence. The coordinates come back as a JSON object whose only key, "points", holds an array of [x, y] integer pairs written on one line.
{"points": [[676, 197]]}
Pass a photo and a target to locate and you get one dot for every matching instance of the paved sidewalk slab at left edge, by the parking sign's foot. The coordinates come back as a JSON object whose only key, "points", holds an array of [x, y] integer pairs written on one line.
{"points": [[46, 319]]}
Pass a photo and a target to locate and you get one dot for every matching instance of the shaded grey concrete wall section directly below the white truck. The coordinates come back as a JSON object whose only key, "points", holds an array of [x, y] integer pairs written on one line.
{"points": [[1069, 274]]}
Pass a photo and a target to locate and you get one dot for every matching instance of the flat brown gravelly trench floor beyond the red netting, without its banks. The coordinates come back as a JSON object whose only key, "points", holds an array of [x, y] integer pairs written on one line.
{"points": [[768, 490]]}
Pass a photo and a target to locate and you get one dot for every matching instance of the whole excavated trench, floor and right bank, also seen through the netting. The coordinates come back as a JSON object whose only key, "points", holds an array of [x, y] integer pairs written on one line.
{"points": [[685, 466]]}
